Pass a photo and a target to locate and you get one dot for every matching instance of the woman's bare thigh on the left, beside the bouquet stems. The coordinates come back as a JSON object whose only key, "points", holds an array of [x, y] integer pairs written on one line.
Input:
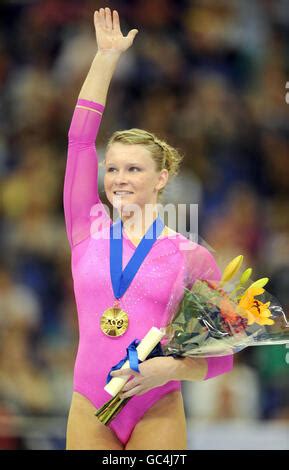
{"points": [[85, 431]]}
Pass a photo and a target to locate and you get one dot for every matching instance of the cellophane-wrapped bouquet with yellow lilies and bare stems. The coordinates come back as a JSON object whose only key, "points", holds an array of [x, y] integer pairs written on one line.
{"points": [[212, 319]]}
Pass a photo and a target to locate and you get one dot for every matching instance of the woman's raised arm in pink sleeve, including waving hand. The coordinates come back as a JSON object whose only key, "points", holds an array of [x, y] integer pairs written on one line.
{"points": [[80, 193]]}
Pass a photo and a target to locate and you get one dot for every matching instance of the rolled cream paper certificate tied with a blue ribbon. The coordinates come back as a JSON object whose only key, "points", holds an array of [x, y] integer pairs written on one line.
{"points": [[145, 347]]}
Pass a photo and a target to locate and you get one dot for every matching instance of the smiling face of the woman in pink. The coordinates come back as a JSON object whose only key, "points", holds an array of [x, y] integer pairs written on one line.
{"points": [[131, 176]]}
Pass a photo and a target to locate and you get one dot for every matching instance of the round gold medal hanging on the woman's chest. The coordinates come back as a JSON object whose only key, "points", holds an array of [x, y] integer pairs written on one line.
{"points": [[114, 321]]}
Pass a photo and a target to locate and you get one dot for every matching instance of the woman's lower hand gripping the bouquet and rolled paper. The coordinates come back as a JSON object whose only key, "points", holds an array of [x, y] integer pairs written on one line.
{"points": [[153, 373]]}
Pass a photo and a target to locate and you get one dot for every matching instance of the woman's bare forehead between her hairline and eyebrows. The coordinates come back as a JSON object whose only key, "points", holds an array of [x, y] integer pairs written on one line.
{"points": [[122, 153]]}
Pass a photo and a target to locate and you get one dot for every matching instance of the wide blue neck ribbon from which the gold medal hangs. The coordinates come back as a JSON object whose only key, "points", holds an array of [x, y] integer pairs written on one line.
{"points": [[120, 279]]}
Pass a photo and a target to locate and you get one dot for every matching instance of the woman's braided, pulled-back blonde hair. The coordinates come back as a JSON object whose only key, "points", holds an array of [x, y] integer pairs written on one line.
{"points": [[164, 156]]}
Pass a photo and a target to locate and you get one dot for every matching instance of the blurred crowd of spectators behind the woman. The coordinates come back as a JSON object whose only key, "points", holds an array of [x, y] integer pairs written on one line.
{"points": [[210, 78]]}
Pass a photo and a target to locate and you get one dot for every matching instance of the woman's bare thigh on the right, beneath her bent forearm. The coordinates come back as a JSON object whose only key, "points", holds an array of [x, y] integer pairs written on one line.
{"points": [[163, 426]]}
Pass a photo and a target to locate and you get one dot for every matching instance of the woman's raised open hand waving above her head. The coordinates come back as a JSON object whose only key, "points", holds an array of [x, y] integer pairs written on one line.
{"points": [[108, 33]]}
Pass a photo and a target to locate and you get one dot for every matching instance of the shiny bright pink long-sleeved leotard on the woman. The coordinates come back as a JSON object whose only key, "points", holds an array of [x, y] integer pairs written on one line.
{"points": [[149, 298]]}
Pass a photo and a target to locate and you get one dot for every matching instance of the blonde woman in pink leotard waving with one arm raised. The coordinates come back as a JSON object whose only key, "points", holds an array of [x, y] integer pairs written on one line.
{"points": [[138, 167]]}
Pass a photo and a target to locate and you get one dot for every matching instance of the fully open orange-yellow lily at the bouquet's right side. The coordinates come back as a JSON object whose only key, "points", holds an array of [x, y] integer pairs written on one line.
{"points": [[255, 311]]}
